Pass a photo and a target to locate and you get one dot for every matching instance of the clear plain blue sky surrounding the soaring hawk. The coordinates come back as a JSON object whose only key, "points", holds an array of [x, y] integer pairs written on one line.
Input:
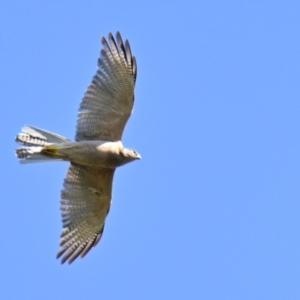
{"points": [[212, 210]]}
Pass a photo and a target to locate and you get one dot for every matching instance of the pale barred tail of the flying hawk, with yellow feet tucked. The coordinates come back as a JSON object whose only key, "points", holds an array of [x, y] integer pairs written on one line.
{"points": [[38, 145]]}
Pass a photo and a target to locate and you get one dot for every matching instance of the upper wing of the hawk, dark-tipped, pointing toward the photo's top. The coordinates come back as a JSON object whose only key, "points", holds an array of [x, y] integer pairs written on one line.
{"points": [[108, 100]]}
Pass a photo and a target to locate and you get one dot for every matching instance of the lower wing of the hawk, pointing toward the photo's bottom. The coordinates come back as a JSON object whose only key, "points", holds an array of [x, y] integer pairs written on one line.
{"points": [[85, 202]]}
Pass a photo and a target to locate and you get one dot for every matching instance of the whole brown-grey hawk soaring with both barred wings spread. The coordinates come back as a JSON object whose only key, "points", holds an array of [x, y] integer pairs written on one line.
{"points": [[96, 152]]}
